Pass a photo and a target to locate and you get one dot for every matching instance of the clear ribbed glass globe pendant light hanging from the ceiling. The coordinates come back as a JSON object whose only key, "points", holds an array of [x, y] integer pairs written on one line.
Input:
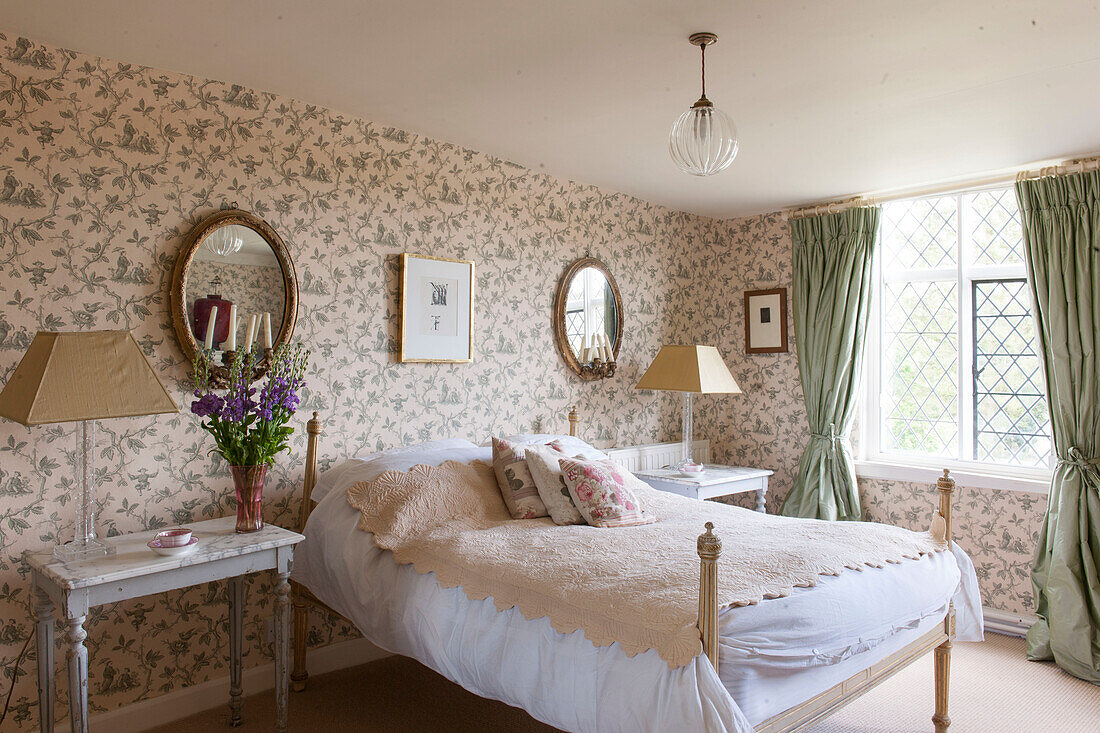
{"points": [[705, 140]]}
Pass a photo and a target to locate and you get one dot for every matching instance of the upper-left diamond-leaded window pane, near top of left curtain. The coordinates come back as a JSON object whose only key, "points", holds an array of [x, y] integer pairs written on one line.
{"points": [[920, 235]]}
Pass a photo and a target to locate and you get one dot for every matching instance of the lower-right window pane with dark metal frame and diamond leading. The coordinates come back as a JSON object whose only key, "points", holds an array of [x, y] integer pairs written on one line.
{"points": [[1011, 421]]}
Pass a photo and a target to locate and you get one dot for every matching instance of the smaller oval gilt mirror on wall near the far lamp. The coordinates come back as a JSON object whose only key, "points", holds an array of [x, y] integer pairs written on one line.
{"points": [[588, 320]]}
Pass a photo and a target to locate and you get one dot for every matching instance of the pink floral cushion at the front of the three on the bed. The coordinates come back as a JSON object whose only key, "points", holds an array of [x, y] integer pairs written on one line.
{"points": [[602, 493]]}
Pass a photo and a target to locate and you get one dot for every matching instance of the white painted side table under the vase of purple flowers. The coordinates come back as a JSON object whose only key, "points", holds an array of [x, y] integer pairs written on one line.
{"points": [[136, 571]]}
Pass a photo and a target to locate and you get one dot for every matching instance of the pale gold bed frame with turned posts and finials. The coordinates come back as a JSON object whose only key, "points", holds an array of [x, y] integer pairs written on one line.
{"points": [[709, 548]]}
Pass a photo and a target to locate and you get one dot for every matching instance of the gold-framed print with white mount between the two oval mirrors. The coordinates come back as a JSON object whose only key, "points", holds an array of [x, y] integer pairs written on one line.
{"points": [[437, 310]]}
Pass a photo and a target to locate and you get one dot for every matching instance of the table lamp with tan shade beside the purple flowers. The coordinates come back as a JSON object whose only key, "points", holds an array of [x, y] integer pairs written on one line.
{"points": [[84, 377]]}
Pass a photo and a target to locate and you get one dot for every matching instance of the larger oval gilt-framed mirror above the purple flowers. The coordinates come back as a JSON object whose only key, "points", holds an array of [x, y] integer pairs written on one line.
{"points": [[234, 267]]}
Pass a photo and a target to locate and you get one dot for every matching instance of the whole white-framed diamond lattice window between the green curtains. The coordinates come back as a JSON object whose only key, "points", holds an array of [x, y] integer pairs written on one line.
{"points": [[955, 374]]}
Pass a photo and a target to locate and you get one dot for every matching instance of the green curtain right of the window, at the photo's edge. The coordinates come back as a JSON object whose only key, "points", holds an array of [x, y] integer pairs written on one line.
{"points": [[1062, 236]]}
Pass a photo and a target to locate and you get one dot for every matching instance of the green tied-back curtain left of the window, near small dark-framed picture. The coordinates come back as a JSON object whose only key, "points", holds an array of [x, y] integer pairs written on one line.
{"points": [[832, 297]]}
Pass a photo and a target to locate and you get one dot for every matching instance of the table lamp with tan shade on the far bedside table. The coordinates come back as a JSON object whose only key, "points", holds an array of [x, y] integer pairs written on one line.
{"points": [[691, 370]]}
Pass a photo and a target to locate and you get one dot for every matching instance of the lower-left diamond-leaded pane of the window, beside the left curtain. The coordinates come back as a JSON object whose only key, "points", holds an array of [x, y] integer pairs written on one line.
{"points": [[920, 368]]}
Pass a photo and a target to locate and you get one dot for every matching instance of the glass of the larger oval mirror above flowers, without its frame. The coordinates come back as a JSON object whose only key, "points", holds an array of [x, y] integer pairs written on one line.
{"points": [[235, 267]]}
